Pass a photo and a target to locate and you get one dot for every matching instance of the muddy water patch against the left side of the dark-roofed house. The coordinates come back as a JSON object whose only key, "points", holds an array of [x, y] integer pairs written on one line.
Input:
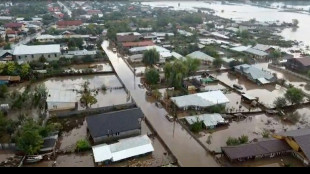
{"points": [[69, 140]]}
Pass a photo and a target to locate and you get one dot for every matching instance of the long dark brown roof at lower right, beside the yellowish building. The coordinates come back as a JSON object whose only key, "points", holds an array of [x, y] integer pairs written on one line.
{"points": [[255, 149]]}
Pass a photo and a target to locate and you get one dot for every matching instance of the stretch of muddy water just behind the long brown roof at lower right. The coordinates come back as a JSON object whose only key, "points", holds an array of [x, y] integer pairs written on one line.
{"points": [[252, 127]]}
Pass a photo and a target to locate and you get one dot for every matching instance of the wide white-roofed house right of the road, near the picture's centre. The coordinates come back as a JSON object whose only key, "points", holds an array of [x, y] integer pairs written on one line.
{"points": [[200, 100]]}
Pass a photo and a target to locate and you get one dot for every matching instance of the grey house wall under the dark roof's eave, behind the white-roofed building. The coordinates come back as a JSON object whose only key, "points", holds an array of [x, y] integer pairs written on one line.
{"points": [[122, 135]]}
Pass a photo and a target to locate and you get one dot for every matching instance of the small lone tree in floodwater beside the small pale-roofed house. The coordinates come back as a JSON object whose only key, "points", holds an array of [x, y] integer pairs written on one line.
{"points": [[88, 97]]}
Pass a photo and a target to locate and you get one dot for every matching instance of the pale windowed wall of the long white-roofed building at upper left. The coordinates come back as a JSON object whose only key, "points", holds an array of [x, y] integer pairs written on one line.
{"points": [[36, 57]]}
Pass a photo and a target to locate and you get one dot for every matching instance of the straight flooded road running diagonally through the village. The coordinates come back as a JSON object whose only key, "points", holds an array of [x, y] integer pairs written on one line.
{"points": [[187, 150]]}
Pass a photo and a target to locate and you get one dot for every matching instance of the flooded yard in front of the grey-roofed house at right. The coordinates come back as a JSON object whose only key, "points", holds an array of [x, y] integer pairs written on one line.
{"points": [[267, 94]]}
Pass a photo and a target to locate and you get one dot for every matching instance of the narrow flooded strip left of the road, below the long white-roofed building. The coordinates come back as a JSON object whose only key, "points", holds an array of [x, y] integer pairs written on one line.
{"points": [[96, 67]]}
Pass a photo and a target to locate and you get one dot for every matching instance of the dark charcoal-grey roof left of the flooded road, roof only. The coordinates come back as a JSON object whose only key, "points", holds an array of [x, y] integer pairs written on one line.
{"points": [[121, 121]]}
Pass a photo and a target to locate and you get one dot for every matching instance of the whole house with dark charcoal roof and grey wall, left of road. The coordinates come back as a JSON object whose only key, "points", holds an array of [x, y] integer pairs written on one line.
{"points": [[115, 125]]}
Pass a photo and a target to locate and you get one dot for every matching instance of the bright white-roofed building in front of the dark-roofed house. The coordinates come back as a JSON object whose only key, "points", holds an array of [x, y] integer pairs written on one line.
{"points": [[124, 149]]}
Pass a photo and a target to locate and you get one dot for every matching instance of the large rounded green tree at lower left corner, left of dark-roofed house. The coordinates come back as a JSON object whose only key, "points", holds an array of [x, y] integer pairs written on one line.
{"points": [[29, 139]]}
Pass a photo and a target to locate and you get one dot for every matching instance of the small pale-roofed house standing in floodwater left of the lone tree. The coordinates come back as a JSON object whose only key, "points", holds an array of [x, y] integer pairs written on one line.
{"points": [[58, 100]]}
